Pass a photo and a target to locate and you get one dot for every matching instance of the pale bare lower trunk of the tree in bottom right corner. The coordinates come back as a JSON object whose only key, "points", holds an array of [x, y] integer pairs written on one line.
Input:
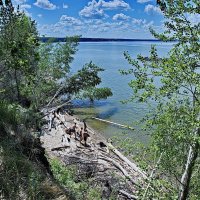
{"points": [[186, 177]]}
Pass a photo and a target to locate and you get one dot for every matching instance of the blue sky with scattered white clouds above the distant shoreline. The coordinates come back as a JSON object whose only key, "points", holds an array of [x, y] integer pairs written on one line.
{"points": [[94, 18]]}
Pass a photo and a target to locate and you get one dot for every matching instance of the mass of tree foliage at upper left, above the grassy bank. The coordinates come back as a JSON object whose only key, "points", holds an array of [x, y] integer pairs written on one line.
{"points": [[32, 73]]}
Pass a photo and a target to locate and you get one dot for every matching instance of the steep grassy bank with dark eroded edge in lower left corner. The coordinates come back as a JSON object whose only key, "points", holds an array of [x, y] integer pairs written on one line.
{"points": [[22, 175]]}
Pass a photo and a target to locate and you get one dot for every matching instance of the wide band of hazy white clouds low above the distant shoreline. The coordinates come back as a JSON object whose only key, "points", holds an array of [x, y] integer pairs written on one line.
{"points": [[67, 25]]}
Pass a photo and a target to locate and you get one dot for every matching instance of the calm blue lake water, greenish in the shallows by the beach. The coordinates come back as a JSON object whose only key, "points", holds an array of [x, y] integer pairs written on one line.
{"points": [[109, 55]]}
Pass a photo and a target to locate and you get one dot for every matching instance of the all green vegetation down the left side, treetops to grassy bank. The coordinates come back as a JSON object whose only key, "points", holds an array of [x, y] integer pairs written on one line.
{"points": [[33, 76]]}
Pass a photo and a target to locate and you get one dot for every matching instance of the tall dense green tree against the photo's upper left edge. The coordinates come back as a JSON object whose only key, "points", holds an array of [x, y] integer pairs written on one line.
{"points": [[18, 53]]}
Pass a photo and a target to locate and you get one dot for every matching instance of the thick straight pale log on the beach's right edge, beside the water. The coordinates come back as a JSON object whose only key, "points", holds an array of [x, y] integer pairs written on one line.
{"points": [[122, 157]]}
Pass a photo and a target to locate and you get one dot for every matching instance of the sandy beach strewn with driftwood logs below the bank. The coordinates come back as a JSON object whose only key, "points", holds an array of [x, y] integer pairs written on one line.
{"points": [[99, 160]]}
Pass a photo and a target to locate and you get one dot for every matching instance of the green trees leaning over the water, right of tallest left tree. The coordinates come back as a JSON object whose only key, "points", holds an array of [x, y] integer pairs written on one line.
{"points": [[55, 77]]}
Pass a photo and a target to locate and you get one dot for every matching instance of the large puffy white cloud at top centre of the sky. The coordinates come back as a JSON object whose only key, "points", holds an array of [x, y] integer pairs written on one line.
{"points": [[96, 9]]}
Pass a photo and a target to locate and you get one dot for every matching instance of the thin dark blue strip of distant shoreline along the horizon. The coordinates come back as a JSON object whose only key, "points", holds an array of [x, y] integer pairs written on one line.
{"points": [[58, 39]]}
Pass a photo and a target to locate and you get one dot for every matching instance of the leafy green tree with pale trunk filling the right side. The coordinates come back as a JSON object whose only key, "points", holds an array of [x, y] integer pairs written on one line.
{"points": [[175, 122]]}
